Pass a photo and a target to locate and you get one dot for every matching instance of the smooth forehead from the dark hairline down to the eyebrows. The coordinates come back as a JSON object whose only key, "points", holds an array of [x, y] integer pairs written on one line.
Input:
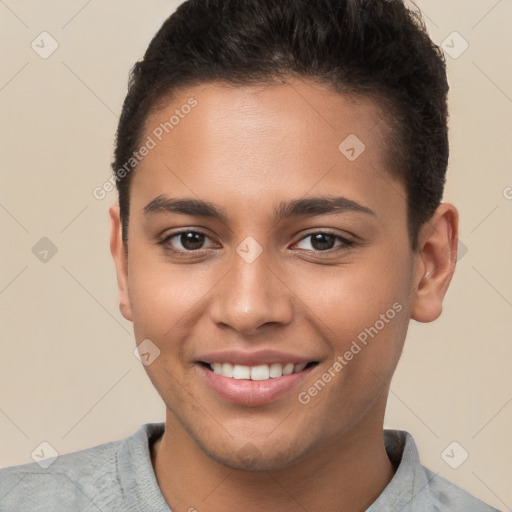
{"points": [[263, 141]]}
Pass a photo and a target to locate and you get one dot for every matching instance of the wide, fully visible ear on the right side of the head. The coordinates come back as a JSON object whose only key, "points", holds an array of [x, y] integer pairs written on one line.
{"points": [[435, 262]]}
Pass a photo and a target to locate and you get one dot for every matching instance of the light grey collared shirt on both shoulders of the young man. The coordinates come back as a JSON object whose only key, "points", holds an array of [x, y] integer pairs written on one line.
{"points": [[118, 476]]}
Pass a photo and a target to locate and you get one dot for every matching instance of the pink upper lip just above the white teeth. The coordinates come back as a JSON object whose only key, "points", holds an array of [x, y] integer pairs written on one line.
{"points": [[254, 358]]}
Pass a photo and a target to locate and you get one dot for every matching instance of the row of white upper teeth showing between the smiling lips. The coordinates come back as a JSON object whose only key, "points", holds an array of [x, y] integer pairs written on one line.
{"points": [[259, 372]]}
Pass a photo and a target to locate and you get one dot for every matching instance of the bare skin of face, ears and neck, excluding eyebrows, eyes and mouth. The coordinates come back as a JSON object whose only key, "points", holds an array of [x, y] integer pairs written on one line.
{"points": [[246, 149]]}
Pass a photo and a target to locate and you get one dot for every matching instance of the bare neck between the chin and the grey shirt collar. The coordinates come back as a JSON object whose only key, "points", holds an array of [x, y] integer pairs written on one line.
{"points": [[343, 474]]}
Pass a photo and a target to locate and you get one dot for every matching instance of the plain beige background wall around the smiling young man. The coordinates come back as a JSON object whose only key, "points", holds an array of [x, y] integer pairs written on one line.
{"points": [[68, 375]]}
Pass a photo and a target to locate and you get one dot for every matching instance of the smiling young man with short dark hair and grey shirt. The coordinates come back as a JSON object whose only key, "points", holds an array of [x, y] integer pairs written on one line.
{"points": [[280, 168]]}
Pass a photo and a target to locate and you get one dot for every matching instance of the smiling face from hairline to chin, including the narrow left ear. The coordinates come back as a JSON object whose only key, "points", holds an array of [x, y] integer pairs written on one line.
{"points": [[303, 257]]}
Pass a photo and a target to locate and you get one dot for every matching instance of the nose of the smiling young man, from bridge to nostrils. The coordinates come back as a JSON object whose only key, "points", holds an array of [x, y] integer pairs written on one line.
{"points": [[251, 295]]}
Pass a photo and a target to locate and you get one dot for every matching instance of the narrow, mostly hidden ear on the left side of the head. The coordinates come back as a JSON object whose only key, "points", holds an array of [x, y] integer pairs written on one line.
{"points": [[120, 261]]}
